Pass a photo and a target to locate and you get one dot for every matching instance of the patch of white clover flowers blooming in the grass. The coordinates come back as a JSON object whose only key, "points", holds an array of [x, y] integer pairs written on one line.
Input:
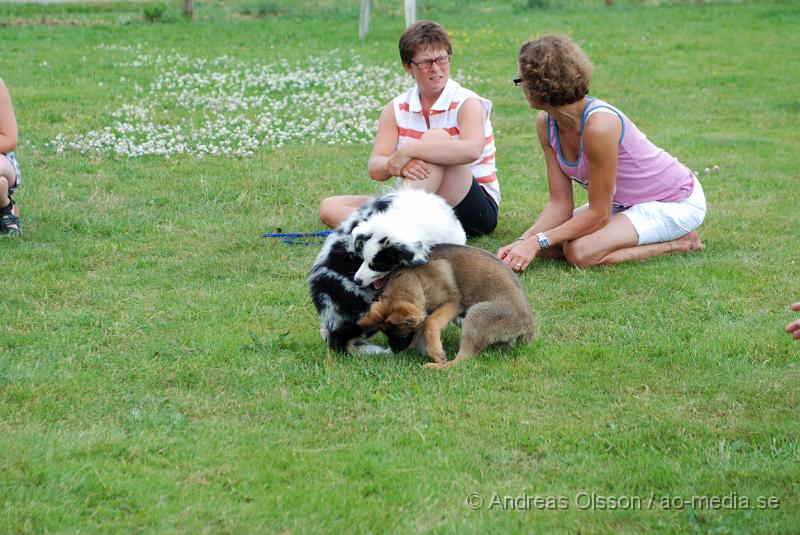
{"points": [[225, 106]]}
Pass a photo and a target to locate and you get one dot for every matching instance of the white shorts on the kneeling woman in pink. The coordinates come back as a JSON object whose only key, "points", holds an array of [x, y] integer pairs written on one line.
{"points": [[658, 221]]}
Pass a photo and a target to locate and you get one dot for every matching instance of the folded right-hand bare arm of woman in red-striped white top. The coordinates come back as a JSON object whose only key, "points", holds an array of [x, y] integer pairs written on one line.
{"points": [[466, 149]]}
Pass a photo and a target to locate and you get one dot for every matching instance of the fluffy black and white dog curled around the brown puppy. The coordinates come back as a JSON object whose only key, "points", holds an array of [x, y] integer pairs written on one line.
{"points": [[396, 229]]}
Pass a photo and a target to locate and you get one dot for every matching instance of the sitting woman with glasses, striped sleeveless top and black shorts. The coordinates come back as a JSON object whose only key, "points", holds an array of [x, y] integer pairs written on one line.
{"points": [[436, 136]]}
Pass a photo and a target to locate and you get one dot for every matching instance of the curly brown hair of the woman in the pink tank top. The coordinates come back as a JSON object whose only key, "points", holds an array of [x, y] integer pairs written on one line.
{"points": [[555, 70]]}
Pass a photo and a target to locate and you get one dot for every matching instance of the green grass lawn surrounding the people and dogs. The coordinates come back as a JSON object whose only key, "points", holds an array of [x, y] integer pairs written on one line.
{"points": [[161, 368]]}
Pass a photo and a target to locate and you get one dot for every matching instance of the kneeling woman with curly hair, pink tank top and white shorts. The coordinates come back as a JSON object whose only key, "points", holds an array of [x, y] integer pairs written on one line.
{"points": [[643, 202]]}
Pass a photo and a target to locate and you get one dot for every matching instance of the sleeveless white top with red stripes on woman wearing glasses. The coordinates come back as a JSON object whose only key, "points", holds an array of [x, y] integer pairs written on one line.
{"points": [[444, 114]]}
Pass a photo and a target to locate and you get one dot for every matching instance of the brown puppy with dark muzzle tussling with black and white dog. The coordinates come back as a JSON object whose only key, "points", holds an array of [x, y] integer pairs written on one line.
{"points": [[456, 280]]}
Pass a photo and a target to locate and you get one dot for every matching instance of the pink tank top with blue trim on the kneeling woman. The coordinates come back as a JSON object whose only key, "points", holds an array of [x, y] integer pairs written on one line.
{"points": [[644, 172]]}
